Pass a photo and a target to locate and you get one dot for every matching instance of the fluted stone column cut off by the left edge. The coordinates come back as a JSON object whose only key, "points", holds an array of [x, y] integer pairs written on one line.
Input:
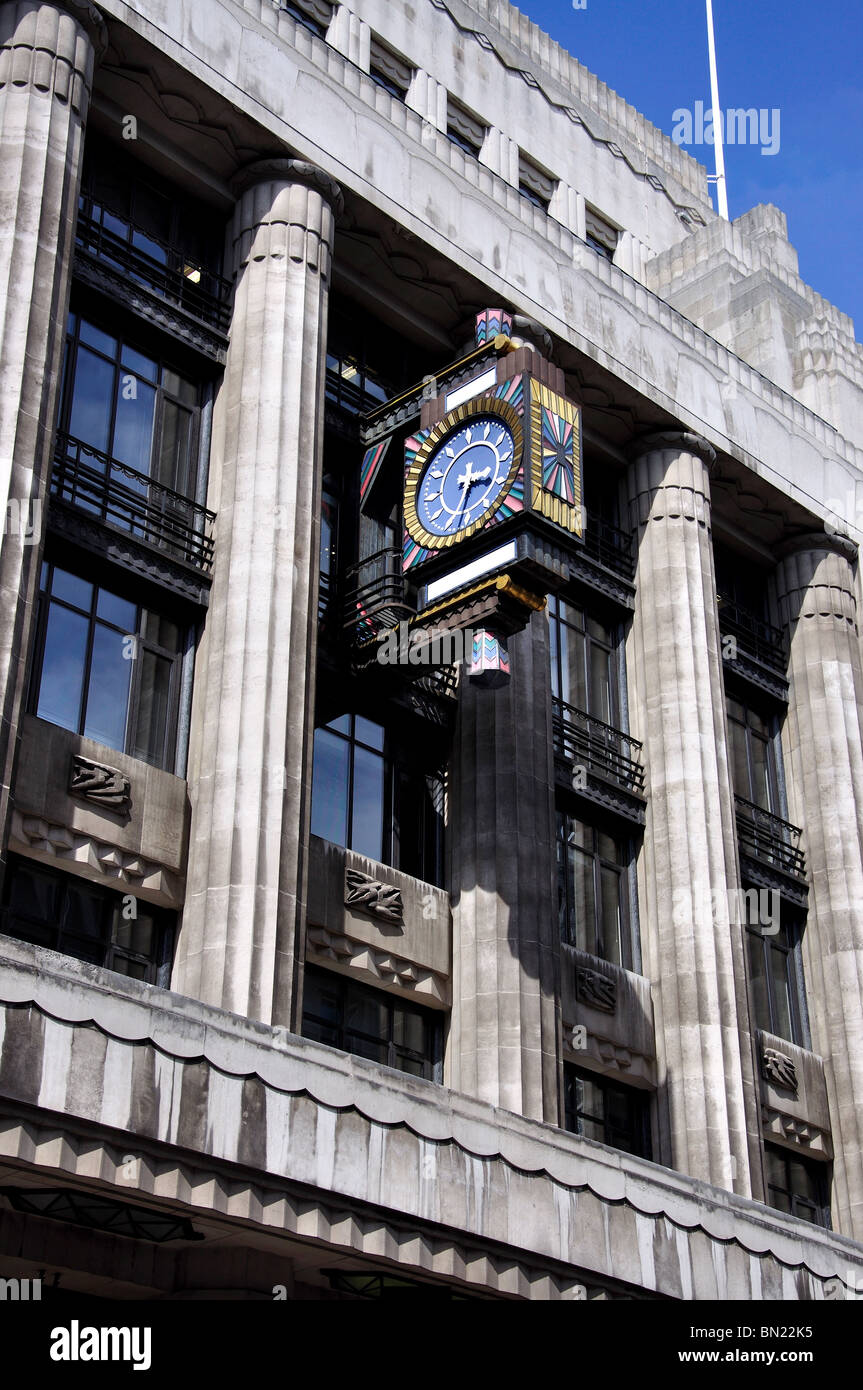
{"points": [[48, 52]]}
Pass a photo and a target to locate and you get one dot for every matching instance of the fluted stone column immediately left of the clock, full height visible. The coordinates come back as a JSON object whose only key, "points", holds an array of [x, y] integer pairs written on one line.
{"points": [[254, 711]]}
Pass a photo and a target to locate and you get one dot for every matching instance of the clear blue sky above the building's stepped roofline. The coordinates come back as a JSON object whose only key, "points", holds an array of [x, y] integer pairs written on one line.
{"points": [[807, 60]]}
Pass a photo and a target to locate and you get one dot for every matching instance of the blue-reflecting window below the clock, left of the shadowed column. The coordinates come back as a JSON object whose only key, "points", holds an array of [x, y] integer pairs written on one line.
{"points": [[373, 794]]}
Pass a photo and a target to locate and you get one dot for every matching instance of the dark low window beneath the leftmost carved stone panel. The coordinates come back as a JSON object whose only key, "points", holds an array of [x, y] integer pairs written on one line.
{"points": [[87, 922]]}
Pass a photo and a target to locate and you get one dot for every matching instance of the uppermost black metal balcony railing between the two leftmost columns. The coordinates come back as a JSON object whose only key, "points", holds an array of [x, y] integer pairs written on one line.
{"points": [[169, 272]]}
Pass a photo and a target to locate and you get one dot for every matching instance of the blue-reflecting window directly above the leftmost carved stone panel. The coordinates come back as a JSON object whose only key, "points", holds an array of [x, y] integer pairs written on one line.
{"points": [[108, 668]]}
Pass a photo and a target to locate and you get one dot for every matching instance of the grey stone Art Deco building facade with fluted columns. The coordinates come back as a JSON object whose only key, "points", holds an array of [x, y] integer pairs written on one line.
{"points": [[324, 978]]}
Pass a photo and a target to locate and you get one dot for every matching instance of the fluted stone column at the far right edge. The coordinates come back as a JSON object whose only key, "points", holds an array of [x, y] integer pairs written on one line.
{"points": [[823, 755]]}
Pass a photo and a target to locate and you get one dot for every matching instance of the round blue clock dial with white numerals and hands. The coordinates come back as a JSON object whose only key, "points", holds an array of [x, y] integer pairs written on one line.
{"points": [[466, 476]]}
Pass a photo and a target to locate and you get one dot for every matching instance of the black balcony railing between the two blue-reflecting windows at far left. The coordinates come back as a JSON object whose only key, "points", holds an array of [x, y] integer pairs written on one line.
{"points": [[99, 486]]}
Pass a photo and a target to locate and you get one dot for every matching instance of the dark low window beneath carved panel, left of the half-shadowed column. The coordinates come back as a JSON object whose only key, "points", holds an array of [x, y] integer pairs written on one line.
{"points": [[370, 1024]]}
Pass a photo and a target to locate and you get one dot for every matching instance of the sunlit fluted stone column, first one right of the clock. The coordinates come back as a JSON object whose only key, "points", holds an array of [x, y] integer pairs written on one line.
{"points": [[693, 950]]}
